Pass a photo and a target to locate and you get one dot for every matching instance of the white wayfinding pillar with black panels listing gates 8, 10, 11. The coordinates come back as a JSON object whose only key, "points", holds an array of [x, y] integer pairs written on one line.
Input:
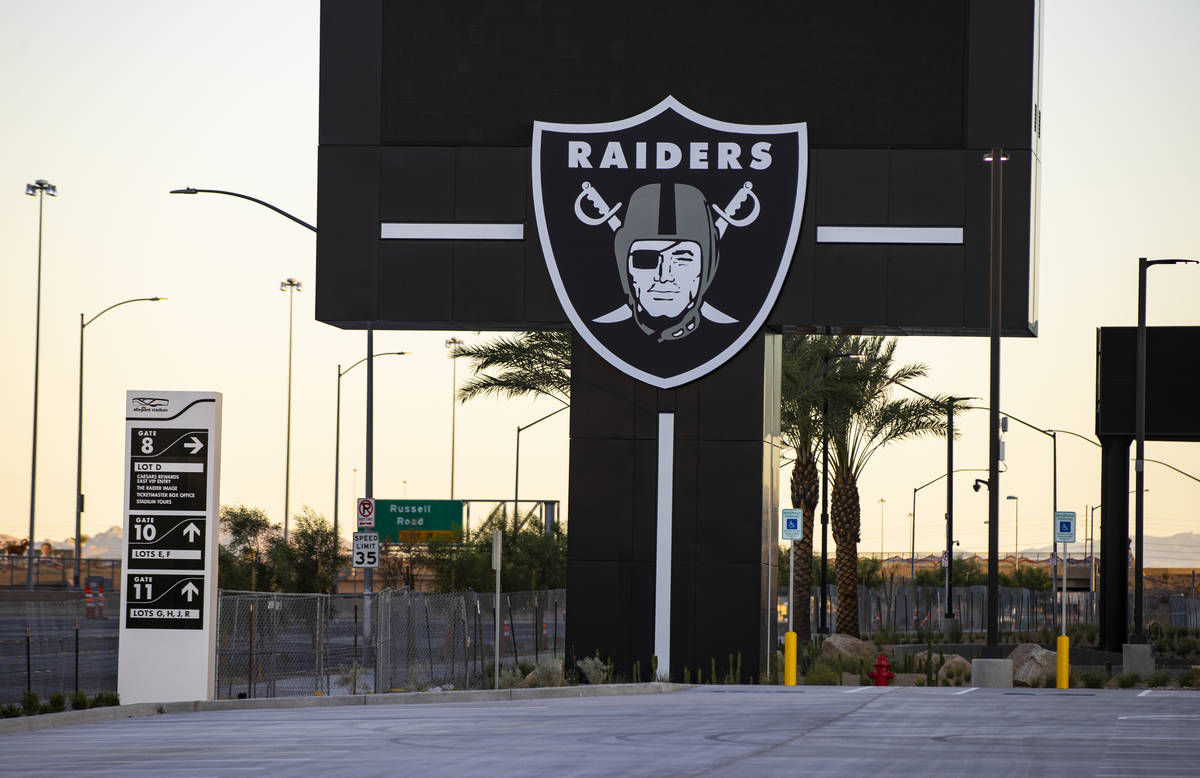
{"points": [[172, 498]]}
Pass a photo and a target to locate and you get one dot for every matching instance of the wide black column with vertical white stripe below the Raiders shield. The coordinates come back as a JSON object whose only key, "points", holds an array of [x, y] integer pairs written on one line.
{"points": [[725, 498]]}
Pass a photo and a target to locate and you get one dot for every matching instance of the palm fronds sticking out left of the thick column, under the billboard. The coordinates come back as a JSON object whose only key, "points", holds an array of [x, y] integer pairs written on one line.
{"points": [[517, 366]]}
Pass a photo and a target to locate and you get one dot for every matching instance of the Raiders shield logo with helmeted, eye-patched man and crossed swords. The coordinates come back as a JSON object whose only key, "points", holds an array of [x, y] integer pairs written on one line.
{"points": [[669, 235]]}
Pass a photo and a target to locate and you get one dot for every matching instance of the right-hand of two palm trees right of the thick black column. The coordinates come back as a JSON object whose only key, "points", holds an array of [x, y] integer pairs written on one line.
{"points": [[860, 424]]}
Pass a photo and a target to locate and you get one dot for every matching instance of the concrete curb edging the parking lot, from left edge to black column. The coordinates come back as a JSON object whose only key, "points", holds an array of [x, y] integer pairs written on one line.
{"points": [[49, 721]]}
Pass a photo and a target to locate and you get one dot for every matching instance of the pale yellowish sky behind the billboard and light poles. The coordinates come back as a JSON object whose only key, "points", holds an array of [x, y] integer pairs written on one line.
{"points": [[119, 103]]}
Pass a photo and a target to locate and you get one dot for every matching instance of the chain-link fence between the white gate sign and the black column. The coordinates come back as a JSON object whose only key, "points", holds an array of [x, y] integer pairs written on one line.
{"points": [[292, 645]]}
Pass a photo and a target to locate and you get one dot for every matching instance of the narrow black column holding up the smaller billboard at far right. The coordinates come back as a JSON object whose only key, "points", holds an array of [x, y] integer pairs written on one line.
{"points": [[1114, 542]]}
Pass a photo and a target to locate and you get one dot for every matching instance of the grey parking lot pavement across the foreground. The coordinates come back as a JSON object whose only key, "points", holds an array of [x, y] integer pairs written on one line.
{"points": [[705, 731]]}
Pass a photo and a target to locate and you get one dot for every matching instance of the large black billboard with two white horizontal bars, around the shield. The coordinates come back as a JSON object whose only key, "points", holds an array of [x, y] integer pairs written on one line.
{"points": [[425, 200]]}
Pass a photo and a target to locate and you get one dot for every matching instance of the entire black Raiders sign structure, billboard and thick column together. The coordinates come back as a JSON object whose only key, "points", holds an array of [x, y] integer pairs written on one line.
{"points": [[428, 213]]}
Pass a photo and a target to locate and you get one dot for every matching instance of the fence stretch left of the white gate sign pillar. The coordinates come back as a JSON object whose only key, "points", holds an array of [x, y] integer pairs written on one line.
{"points": [[52, 648]]}
